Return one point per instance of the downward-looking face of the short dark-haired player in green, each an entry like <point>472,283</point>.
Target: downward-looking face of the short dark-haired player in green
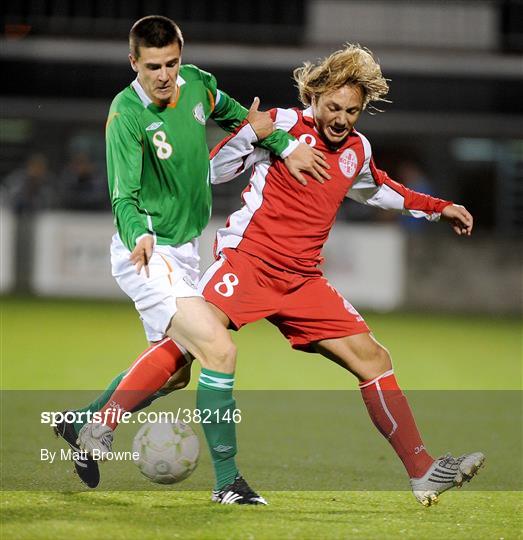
<point>157,71</point>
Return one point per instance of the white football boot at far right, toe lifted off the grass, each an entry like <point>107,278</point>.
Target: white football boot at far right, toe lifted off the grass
<point>445,473</point>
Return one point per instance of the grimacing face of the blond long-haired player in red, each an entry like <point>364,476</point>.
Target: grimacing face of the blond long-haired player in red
<point>336,113</point>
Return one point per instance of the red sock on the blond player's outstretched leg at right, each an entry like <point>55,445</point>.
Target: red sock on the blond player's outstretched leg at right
<point>391,414</point>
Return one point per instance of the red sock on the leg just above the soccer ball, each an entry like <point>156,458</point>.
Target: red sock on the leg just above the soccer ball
<point>151,370</point>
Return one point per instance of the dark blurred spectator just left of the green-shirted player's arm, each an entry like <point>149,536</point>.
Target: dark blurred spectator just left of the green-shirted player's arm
<point>82,185</point>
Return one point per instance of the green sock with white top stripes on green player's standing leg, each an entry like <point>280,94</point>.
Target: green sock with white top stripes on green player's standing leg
<point>216,405</point>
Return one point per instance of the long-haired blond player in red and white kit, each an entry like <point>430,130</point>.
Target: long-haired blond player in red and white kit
<point>268,254</point>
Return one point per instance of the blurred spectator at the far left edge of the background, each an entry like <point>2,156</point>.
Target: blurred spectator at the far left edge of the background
<point>30,188</point>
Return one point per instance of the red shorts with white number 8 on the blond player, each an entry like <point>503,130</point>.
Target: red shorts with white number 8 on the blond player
<point>306,309</point>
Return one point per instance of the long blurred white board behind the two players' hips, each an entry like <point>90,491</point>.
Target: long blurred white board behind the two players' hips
<point>365,262</point>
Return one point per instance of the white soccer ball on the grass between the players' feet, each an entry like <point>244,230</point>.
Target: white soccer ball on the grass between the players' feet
<point>168,452</point>
